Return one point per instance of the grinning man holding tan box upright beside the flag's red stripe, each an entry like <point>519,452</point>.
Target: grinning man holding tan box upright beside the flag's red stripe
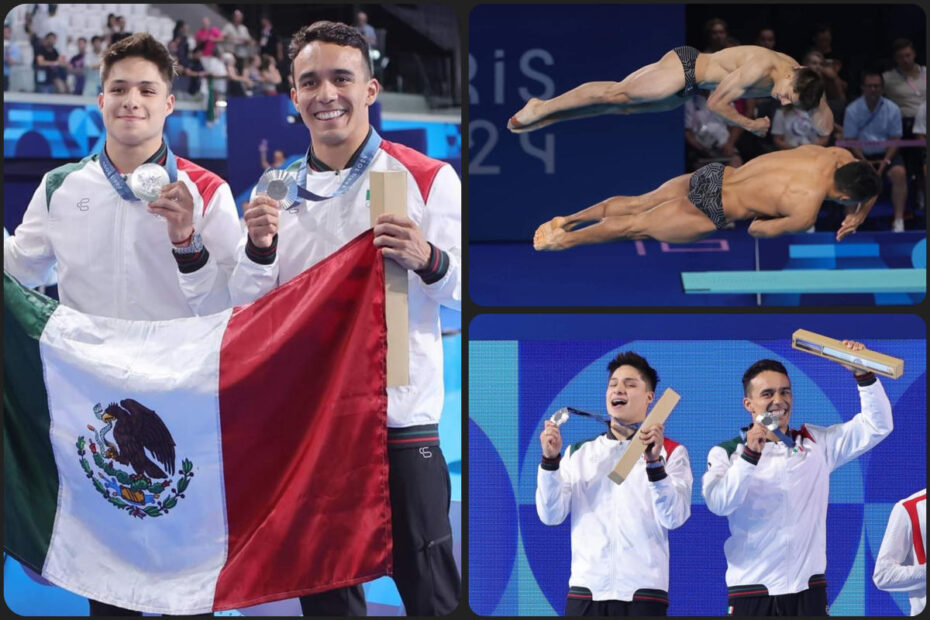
<point>333,90</point>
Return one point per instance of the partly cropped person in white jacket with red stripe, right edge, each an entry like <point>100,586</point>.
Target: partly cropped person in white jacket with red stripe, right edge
<point>901,565</point>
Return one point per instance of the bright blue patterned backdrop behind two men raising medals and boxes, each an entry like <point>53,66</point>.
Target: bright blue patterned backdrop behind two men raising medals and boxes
<point>522,368</point>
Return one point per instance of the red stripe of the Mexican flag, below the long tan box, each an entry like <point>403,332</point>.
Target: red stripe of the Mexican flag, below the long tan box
<point>303,414</point>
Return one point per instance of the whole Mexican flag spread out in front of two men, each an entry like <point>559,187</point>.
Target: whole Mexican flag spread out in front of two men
<point>204,463</point>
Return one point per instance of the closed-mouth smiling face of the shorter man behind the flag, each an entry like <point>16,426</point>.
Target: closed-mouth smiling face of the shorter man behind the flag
<point>134,103</point>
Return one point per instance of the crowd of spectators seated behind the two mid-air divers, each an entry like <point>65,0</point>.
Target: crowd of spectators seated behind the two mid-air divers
<point>889,104</point>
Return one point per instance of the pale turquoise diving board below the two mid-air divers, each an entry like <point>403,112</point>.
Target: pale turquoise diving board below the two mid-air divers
<point>806,281</point>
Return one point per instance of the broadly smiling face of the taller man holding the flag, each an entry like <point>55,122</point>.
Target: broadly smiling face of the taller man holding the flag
<point>333,90</point>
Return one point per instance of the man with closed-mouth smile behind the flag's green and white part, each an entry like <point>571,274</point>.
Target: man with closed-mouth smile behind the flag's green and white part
<point>118,256</point>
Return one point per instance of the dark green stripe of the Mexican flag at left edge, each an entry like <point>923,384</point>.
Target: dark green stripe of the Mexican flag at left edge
<point>30,479</point>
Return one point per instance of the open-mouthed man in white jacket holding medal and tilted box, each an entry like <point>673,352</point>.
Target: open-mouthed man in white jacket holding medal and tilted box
<point>620,556</point>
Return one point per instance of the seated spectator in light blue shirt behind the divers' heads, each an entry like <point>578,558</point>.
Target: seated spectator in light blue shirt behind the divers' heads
<point>872,117</point>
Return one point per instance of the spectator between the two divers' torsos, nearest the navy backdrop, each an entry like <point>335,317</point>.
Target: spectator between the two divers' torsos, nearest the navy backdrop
<point>707,135</point>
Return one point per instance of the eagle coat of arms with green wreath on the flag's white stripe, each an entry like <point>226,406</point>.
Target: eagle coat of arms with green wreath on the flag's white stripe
<point>148,488</point>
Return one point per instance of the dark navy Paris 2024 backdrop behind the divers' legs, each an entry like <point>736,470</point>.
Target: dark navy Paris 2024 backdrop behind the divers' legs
<point>516,182</point>
